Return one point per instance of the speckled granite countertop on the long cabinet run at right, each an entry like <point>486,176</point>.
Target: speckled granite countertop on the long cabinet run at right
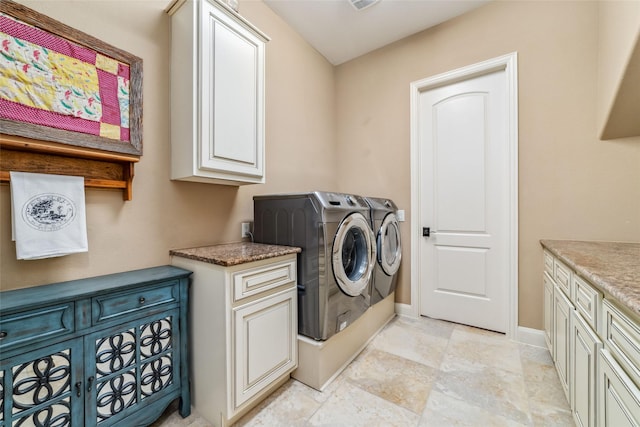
<point>613,267</point>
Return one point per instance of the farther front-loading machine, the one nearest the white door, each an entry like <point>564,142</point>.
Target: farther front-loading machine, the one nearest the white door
<point>384,223</point>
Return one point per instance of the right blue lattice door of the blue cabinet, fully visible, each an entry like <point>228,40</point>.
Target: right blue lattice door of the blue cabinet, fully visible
<point>130,366</point>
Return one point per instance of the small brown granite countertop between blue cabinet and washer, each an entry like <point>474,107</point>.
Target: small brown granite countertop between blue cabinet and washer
<point>234,253</point>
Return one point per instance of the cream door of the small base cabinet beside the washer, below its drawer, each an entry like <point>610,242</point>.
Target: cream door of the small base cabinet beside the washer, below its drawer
<point>265,343</point>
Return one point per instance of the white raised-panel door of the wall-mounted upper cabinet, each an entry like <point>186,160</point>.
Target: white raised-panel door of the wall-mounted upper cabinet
<point>232,83</point>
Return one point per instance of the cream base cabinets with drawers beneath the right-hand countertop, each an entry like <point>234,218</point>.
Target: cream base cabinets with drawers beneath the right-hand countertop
<point>595,346</point>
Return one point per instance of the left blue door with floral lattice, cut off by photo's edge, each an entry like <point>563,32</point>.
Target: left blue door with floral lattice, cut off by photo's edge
<point>43,387</point>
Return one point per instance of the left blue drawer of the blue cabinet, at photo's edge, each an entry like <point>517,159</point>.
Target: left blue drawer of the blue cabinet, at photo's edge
<point>36,325</point>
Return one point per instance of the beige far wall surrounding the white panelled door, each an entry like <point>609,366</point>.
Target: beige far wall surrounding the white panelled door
<point>571,185</point>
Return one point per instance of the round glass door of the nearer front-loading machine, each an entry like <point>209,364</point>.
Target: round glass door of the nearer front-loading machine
<point>354,253</point>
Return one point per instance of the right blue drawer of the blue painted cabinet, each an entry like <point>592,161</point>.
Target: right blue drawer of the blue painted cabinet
<point>108,307</point>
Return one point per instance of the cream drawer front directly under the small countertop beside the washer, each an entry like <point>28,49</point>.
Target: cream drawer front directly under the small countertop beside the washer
<point>260,279</point>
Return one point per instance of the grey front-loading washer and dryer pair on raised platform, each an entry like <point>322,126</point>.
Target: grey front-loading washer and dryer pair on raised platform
<point>344,266</point>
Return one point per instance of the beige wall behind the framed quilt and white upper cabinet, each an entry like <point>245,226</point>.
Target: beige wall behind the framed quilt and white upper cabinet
<point>165,214</point>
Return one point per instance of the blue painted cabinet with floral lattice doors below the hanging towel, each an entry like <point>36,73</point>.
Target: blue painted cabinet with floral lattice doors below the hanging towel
<point>104,351</point>
